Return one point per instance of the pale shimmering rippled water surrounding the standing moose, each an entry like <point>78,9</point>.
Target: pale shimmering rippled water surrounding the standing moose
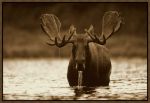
<point>45,79</point>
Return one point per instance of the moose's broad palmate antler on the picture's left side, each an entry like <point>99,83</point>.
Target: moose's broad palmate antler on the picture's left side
<point>51,26</point>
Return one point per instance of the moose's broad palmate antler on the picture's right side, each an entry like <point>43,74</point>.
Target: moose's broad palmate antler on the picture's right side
<point>110,24</point>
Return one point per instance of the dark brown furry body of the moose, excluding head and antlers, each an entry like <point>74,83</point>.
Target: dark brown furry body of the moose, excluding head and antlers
<point>97,67</point>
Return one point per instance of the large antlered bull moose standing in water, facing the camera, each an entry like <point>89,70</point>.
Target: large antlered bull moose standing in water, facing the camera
<point>89,53</point>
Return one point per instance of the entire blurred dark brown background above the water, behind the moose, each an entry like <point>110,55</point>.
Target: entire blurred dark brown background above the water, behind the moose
<point>23,37</point>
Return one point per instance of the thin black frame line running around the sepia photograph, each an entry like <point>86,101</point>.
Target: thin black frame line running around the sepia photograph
<point>76,2</point>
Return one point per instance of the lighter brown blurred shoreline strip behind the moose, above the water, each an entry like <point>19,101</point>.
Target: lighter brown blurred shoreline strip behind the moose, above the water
<point>24,44</point>
